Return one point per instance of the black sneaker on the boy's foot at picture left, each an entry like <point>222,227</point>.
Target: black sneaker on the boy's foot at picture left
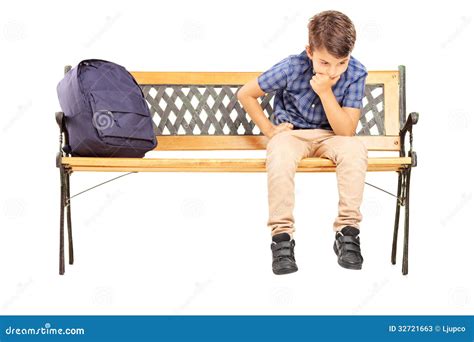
<point>283,249</point>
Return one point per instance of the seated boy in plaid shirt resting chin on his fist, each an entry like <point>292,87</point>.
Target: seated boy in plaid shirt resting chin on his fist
<point>316,110</point>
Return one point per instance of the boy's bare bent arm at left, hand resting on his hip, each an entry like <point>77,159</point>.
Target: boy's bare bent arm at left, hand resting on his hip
<point>248,96</point>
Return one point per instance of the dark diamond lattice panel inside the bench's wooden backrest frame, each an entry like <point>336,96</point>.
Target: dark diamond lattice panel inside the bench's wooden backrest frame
<point>215,110</point>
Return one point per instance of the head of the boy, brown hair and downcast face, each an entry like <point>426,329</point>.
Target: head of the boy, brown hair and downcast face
<point>332,37</point>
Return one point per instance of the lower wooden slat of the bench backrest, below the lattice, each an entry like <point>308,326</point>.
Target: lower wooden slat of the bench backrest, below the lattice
<point>230,142</point>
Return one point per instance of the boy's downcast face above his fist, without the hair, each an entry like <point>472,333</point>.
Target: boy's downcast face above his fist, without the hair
<point>325,63</point>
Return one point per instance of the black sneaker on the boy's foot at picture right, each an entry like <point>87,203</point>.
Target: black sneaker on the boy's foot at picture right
<point>347,248</point>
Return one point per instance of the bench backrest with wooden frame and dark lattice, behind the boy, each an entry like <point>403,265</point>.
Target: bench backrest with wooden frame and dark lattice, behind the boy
<point>200,110</point>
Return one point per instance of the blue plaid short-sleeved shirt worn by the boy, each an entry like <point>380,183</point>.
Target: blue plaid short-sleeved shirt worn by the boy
<point>296,102</point>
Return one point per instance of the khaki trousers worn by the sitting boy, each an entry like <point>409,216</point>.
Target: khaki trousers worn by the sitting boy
<point>284,152</point>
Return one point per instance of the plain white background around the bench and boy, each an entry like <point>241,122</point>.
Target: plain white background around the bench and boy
<point>163,243</point>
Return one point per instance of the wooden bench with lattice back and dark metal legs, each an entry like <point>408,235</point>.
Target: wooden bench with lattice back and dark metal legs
<point>200,111</point>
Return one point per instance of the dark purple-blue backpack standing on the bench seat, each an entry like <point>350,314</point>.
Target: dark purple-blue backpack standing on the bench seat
<point>105,112</point>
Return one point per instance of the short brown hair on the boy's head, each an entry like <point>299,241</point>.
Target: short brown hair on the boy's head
<point>333,31</point>
